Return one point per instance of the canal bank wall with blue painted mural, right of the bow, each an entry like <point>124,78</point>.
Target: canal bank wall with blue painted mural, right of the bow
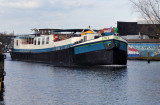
<point>144,49</point>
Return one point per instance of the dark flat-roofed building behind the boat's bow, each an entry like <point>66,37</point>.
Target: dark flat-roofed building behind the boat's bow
<point>133,28</point>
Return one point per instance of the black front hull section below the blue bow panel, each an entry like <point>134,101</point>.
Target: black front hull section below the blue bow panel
<point>102,57</point>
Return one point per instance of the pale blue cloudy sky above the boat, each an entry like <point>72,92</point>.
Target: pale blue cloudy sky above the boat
<point>19,16</point>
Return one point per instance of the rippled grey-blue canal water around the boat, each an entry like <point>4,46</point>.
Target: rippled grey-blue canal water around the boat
<point>29,83</point>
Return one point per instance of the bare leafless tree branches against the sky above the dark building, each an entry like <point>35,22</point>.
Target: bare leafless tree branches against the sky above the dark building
<point>148,9</point>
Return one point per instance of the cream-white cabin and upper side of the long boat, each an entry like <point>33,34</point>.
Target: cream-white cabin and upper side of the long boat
<point>47,41</point>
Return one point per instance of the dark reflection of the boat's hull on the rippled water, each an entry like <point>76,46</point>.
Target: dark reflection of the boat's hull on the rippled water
<point>113,72</point>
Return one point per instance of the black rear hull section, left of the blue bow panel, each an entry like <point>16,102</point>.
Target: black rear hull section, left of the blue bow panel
<point>57,58</point>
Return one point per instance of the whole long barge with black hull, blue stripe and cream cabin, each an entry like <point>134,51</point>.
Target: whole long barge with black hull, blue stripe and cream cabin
<point>71,47</point>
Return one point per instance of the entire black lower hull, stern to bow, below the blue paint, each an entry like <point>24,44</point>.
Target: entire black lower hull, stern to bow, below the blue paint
<point>67,57</point>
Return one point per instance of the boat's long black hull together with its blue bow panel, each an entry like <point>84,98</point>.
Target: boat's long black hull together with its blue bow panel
<point>85,55</point>
